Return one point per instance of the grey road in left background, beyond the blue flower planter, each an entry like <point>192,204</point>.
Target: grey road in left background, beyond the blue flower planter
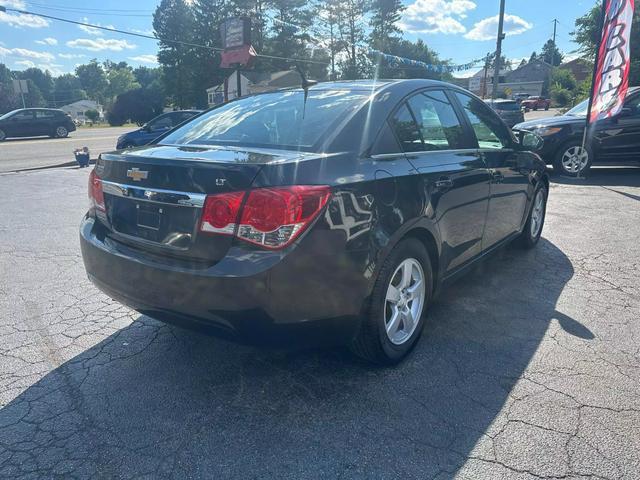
<point>21,154</point>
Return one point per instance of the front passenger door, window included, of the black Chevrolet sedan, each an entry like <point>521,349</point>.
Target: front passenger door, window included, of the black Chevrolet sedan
<point>510,185</point>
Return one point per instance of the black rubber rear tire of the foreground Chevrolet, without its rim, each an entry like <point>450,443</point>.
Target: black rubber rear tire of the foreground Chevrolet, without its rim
<point>372,342</point>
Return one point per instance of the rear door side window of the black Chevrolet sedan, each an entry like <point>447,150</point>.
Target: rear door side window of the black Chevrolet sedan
<point>437,121</point>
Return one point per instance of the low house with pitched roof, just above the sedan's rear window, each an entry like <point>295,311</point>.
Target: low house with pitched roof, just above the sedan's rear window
<point>252,82</point>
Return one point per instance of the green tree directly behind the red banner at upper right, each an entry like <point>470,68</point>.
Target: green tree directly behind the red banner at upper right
<point>587,35</point>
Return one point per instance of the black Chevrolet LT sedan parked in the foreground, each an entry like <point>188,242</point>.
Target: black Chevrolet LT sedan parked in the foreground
<point>328,218</point>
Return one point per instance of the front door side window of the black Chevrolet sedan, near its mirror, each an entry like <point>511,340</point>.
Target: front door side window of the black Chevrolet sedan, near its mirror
<point>489,129</point>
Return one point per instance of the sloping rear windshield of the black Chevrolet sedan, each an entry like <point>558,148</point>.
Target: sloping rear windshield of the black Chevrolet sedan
<point>273,120</point>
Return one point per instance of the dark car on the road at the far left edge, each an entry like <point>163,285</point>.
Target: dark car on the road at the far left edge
<point>35,122</point>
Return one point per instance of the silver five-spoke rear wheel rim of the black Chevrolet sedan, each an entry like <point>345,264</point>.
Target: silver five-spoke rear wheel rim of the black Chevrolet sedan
<point>404,301</point>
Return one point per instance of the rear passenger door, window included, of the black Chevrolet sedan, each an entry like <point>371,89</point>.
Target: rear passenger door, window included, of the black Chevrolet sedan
<point>454,178</point>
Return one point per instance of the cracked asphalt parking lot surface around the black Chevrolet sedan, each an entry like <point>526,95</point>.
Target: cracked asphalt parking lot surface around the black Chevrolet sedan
<point>529,367</point>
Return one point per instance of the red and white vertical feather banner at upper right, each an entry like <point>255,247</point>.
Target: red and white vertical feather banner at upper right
<point>611,79</point>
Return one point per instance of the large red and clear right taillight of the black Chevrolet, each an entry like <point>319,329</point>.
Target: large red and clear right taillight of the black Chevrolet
<point>269,217</point>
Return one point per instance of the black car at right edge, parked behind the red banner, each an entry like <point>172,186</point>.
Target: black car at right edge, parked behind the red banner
<point>613,140</point>
